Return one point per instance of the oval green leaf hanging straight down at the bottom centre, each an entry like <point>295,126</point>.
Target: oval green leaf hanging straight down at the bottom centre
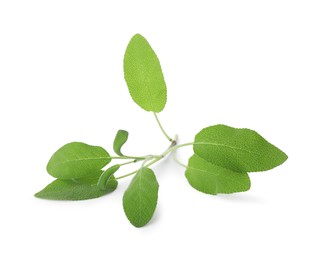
<point>140,198</point>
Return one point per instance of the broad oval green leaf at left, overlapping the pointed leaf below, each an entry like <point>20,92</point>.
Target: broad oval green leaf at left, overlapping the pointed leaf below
<point>77,160</point>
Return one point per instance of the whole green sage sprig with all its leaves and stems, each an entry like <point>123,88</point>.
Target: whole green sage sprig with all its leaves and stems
<point>222,157</point>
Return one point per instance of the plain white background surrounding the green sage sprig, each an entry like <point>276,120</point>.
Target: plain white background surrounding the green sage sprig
<point>255,64</point>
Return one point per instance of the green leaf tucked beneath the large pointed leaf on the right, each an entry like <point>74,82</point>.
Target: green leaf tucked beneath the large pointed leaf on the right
<point>213,179</point>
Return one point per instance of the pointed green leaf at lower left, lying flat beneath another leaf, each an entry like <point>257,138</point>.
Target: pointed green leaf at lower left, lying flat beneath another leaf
<point>78,189</point>
